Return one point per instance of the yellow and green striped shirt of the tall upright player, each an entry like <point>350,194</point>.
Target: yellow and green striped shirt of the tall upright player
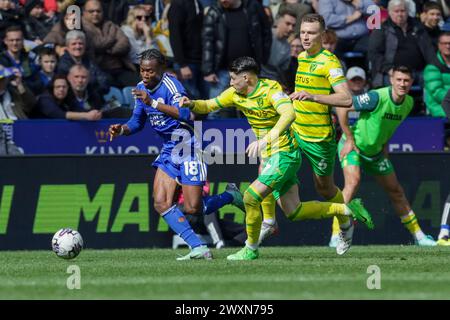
<point>316,74</point>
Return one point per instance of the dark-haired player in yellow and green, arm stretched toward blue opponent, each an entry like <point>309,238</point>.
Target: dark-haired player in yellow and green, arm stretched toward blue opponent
<point>270,114</point>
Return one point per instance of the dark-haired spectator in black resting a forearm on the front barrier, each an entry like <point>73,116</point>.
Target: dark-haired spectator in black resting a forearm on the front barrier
<point>57,103</point>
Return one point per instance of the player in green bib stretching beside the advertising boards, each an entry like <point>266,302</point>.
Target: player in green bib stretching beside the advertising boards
<point>363,145</point>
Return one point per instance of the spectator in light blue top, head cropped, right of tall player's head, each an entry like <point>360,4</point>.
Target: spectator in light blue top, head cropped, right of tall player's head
<point>347,19</point>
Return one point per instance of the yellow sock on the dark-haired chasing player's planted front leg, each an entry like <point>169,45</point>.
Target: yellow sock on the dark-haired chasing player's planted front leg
<point>253,219</point>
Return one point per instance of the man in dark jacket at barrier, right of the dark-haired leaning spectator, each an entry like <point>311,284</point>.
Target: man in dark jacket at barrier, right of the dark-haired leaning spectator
<point>85,99</point>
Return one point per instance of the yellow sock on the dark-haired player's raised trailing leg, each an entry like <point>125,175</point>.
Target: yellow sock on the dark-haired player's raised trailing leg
<point>317,210</point>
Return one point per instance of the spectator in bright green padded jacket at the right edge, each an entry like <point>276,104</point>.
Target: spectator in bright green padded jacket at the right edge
<point>437,78</point>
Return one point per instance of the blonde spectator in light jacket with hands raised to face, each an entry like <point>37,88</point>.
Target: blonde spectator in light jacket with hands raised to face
<point>137,29</point>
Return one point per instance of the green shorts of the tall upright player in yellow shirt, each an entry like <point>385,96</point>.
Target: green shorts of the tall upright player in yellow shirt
<point>321,155</point>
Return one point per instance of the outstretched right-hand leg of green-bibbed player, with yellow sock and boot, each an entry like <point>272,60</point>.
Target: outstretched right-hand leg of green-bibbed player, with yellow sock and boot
<point>403,209</point>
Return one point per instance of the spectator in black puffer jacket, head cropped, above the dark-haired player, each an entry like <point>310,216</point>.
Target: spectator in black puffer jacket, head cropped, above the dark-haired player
<point>232,29</point>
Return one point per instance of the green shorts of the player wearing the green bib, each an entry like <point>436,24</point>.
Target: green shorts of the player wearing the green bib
<point>377,165</point>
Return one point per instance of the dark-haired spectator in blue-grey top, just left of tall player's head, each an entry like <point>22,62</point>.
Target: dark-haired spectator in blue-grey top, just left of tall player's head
<point>280,51</point>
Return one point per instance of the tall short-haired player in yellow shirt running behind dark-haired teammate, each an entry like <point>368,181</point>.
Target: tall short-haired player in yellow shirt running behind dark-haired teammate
<point>320,84</point>
